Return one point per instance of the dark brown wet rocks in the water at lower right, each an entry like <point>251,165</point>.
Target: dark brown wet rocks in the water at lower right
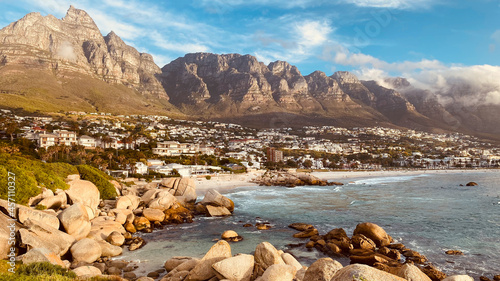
<point>371,245</point>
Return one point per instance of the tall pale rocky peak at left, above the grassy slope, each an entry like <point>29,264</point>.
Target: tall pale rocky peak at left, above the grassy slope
<point>75,44</point>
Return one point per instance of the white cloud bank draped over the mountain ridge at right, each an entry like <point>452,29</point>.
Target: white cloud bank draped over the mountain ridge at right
<point>454,84</point>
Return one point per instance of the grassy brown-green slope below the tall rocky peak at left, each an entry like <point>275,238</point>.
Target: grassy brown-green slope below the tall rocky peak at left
<point>36,89</point>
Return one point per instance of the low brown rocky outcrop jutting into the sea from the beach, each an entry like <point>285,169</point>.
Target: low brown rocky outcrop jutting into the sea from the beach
<point>288,179</point>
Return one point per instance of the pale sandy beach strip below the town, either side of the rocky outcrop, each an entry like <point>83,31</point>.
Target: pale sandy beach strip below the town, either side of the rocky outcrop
<point>230,181</point>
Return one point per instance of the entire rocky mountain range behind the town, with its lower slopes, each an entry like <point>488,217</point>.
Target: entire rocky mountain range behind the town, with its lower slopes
<point>50,64</point>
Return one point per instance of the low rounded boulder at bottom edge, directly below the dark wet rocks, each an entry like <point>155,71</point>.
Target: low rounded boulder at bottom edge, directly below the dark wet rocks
<point>364,272</point>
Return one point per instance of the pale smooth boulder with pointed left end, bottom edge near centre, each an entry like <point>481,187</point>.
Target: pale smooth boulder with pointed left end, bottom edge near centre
<point>237,268</point>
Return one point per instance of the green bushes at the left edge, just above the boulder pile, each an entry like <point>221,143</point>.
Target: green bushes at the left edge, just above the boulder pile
<point>27,175</point>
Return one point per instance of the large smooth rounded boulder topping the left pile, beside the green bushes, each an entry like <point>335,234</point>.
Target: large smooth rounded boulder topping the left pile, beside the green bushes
<point>84,192</point>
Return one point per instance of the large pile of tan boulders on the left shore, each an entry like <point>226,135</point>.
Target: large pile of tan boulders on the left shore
<point>75,229</point>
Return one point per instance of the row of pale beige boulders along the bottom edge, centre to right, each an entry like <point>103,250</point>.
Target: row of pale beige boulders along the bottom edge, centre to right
<point>269,264</point>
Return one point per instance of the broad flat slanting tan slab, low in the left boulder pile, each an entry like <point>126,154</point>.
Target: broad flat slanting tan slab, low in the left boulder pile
<point>40,235</point>
